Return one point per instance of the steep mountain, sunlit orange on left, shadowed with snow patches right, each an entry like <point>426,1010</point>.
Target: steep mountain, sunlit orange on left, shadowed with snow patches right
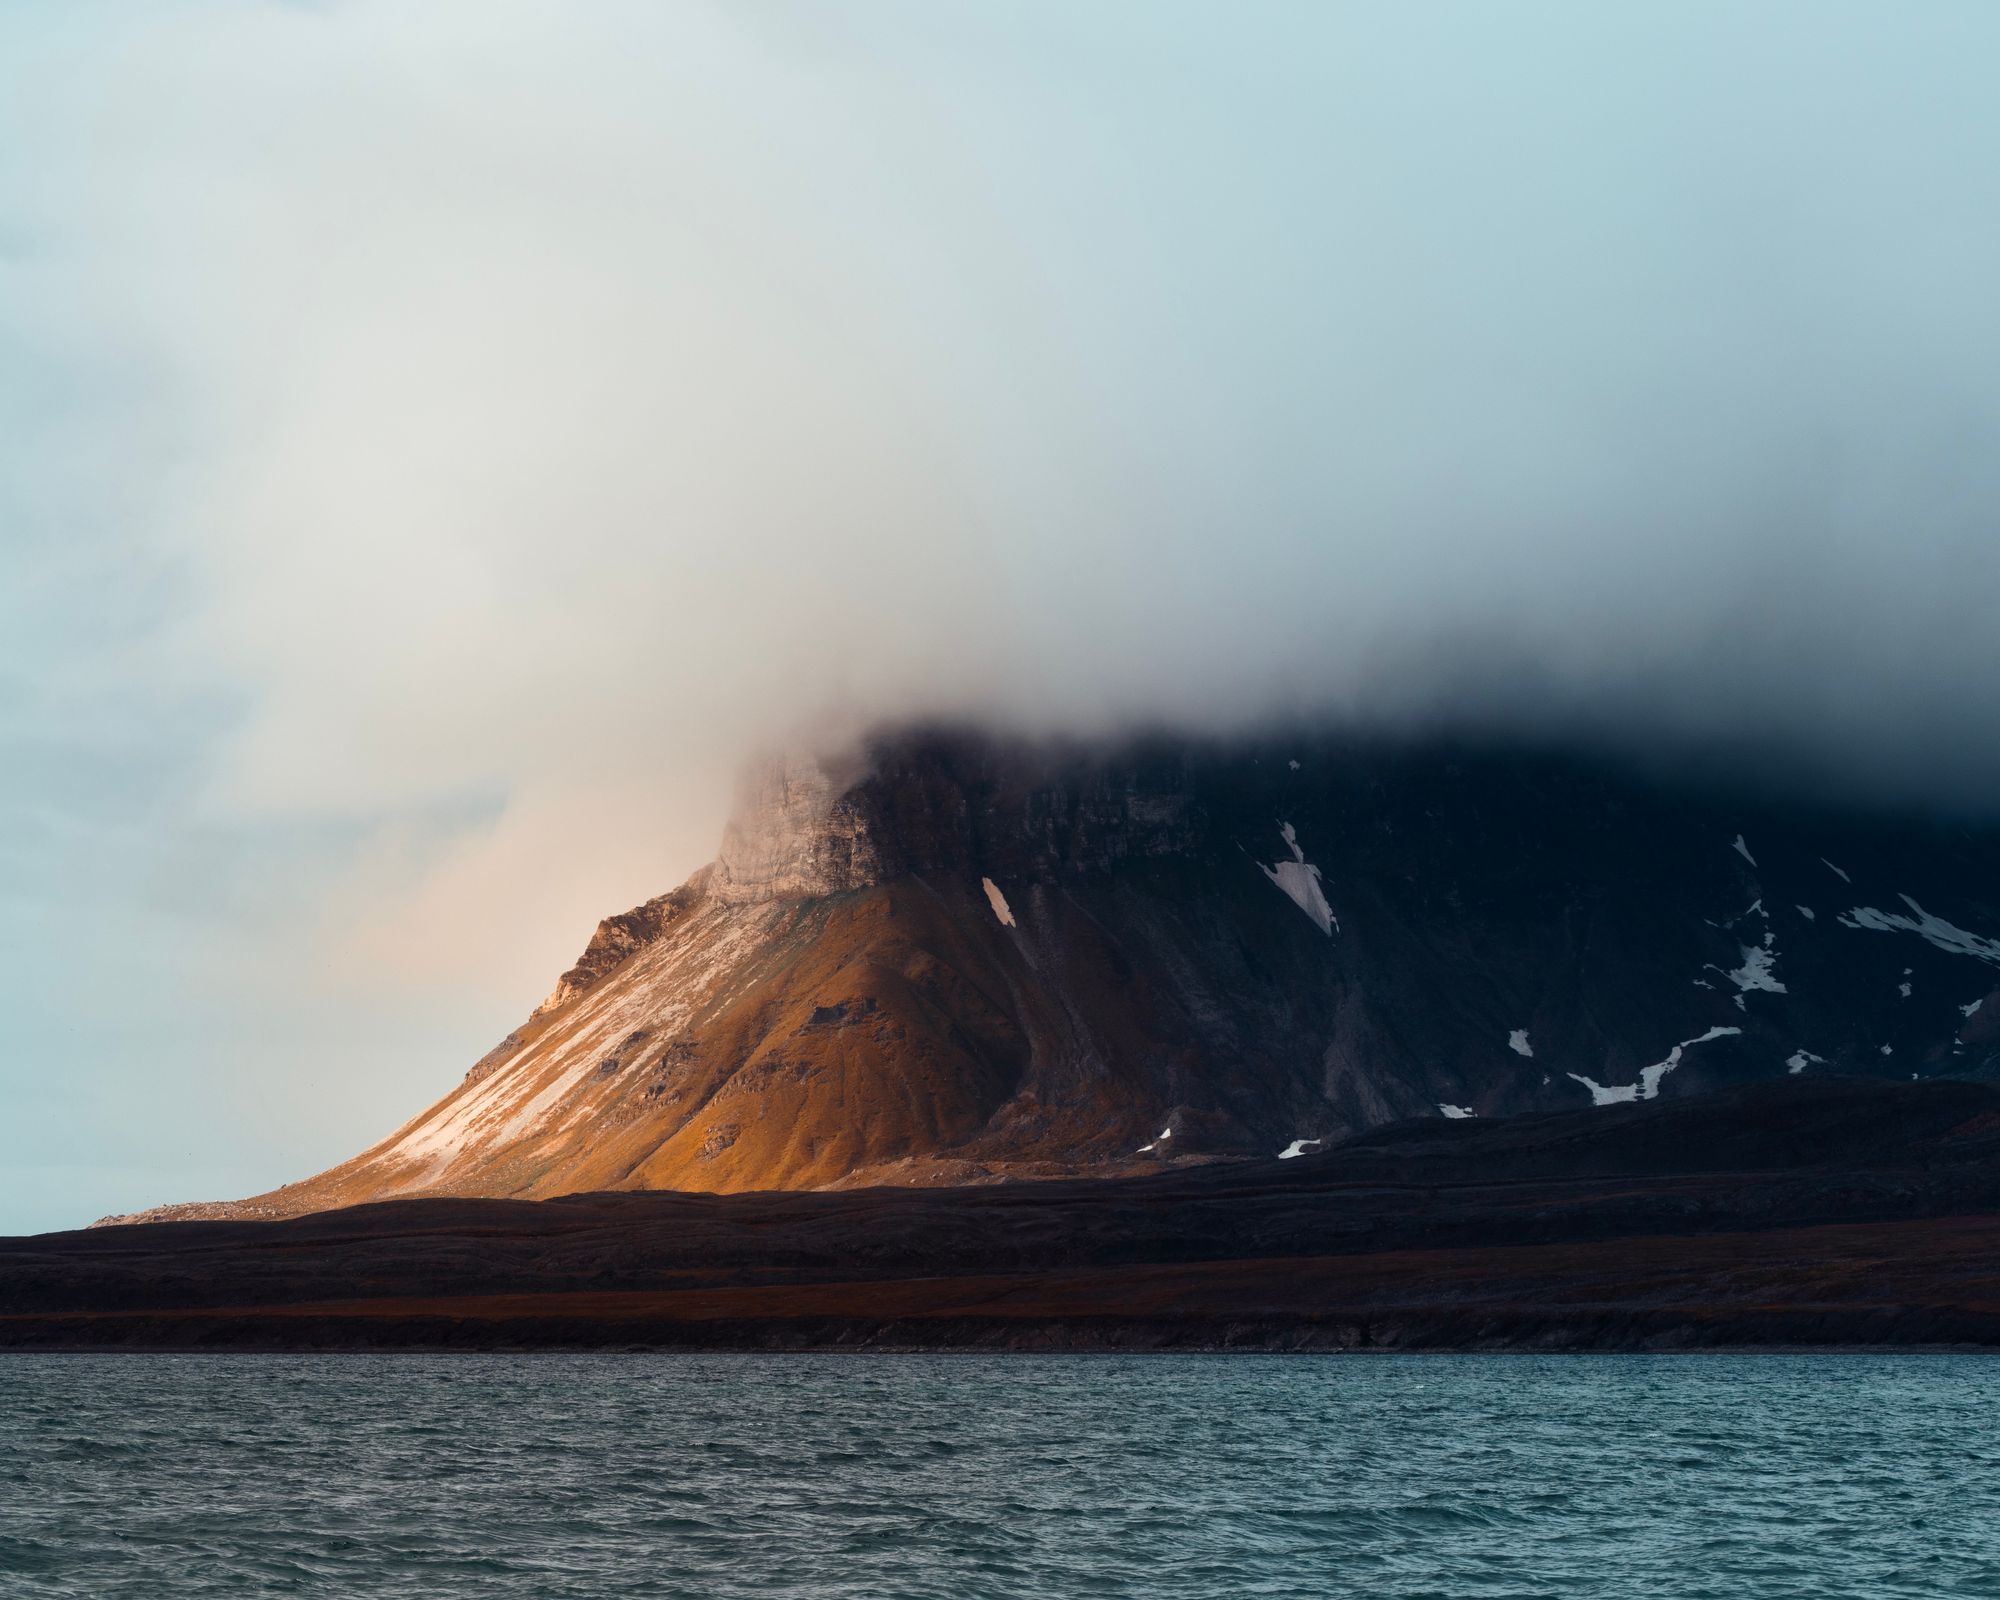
<point>947,957</point>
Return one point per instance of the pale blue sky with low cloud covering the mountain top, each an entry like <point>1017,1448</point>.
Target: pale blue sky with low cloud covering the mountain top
<point>443,441</point>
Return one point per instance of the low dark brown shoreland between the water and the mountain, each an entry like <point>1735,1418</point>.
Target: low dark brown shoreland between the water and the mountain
<point>1813,1213</point>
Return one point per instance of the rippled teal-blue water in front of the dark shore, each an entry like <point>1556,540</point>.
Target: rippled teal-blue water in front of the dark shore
<point>967,1477</point>
